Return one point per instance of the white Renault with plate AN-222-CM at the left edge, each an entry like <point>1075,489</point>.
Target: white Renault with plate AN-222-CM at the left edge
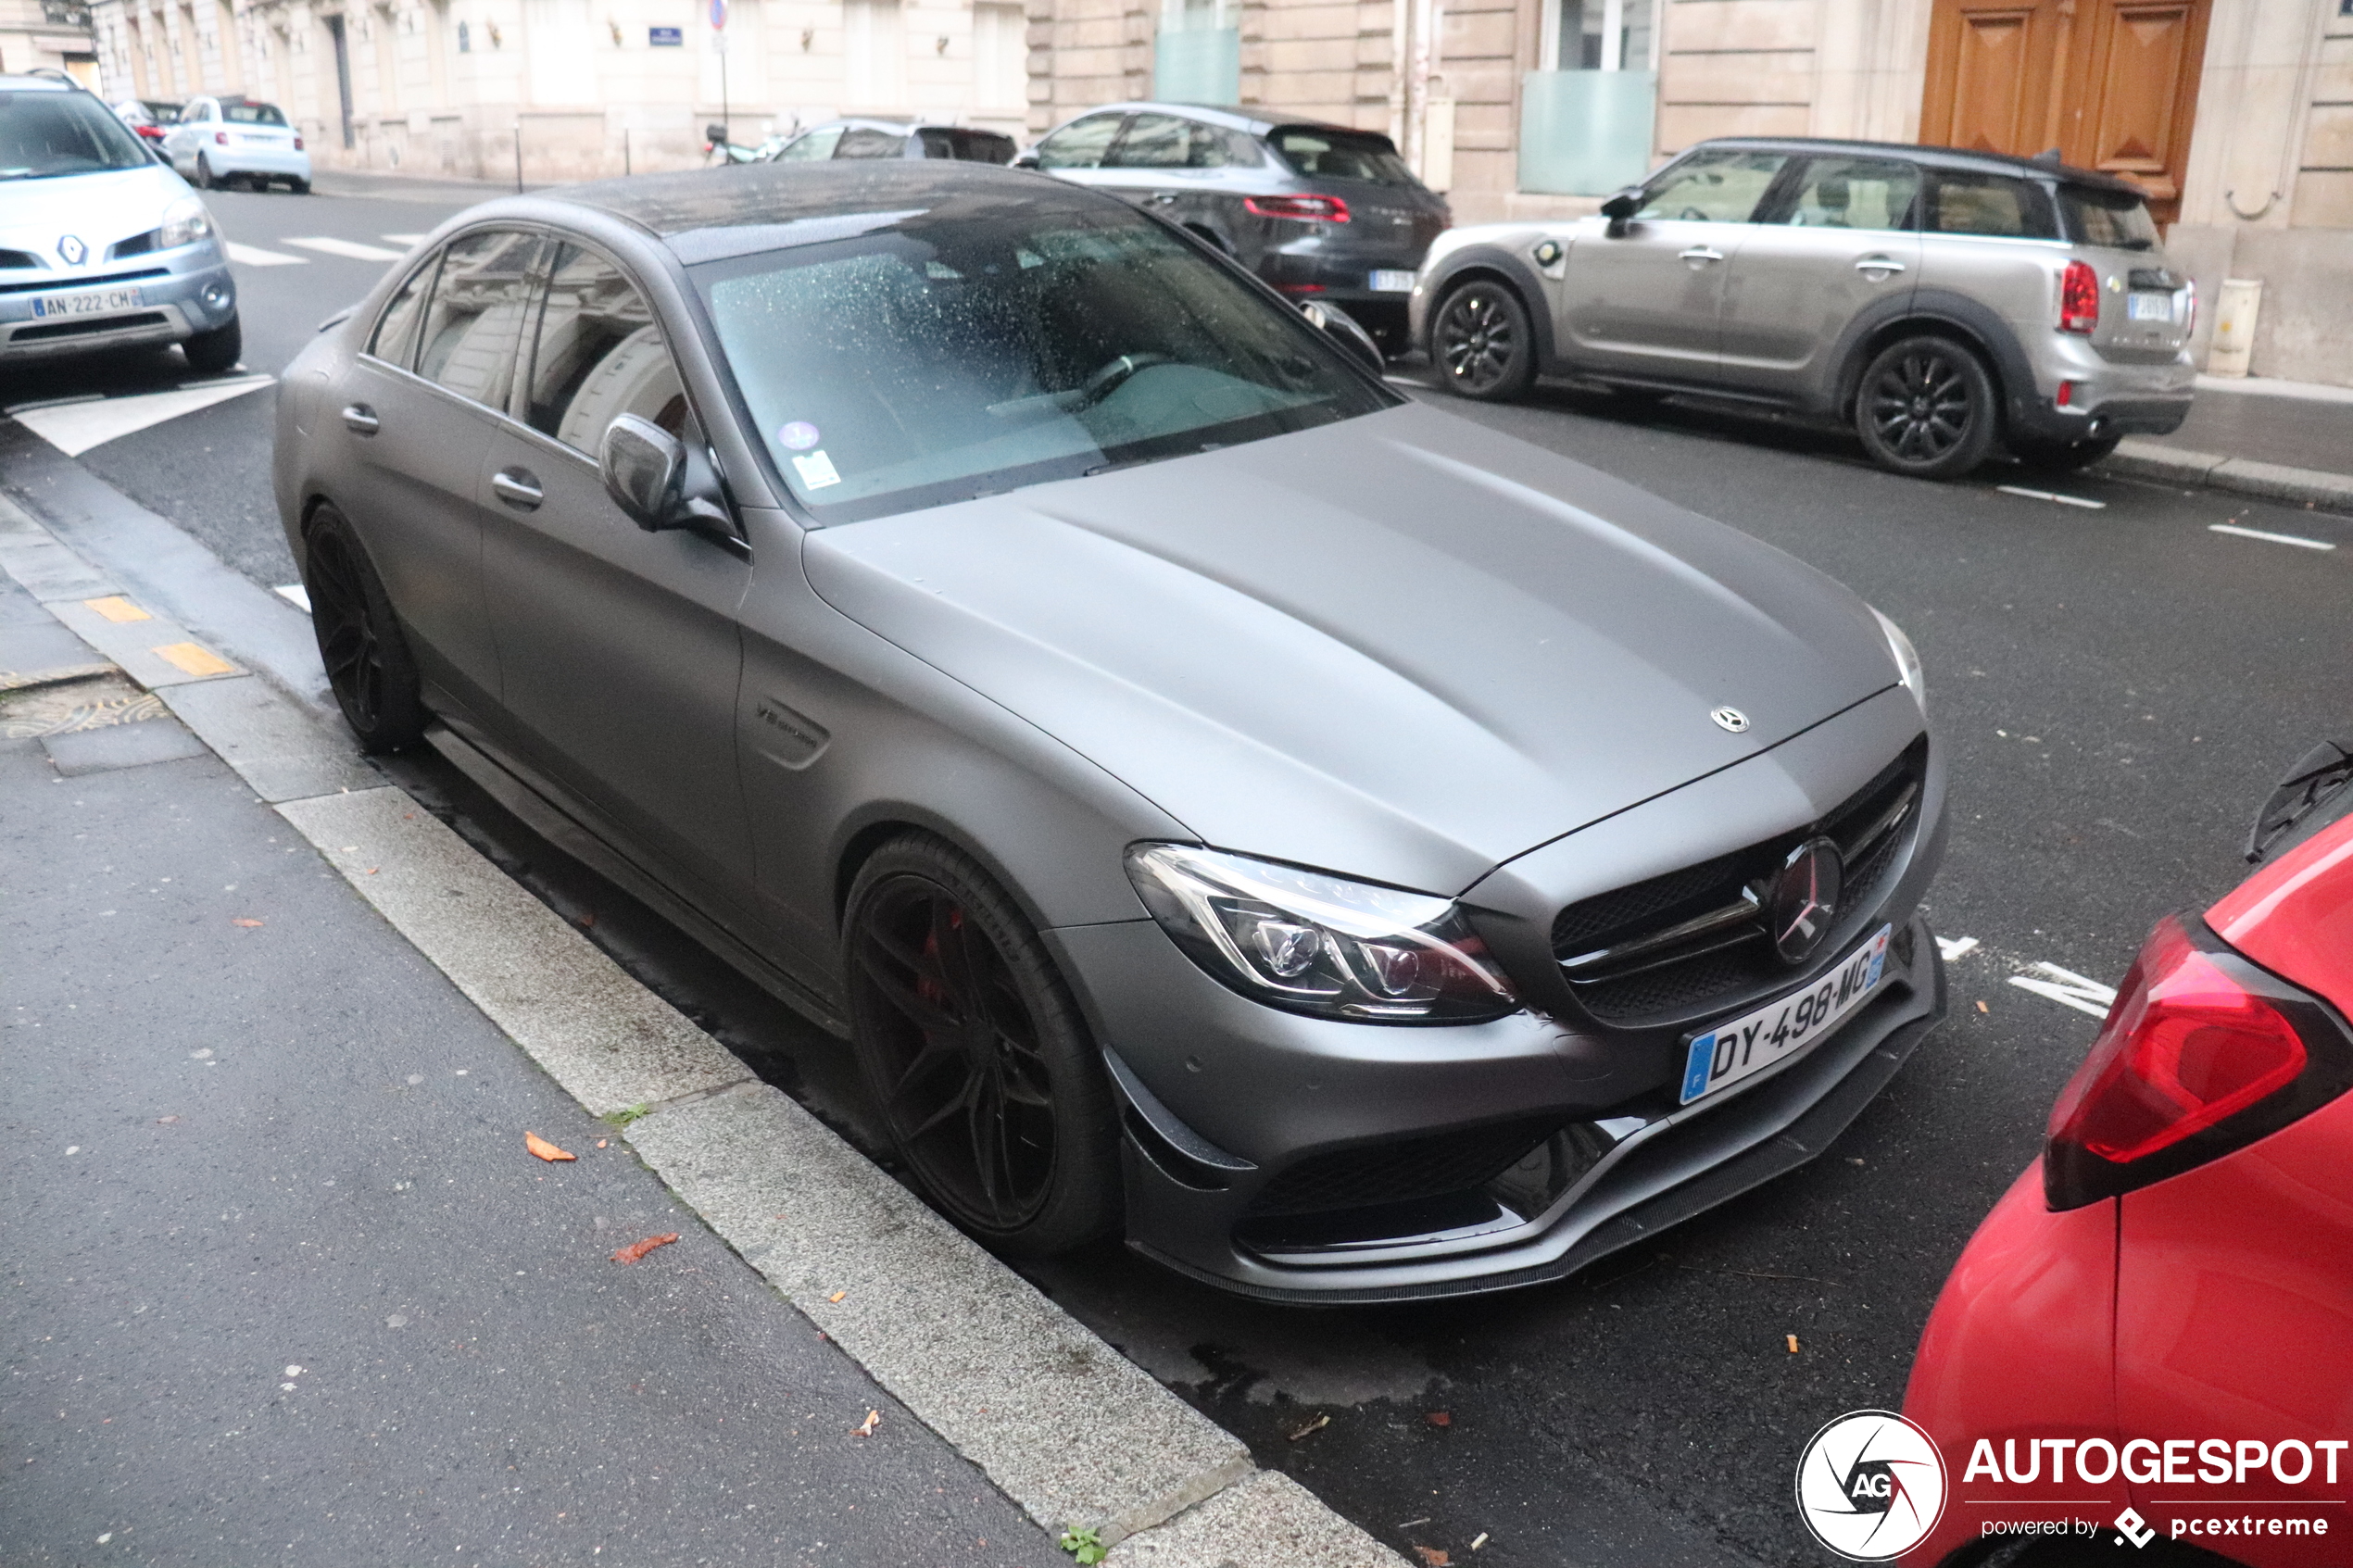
<point>102,246</point>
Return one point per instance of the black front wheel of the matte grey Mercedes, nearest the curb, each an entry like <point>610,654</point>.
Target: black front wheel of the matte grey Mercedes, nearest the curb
<point>975,1054</point>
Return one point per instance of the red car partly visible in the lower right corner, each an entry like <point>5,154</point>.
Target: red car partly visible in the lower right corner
<point>2159,1318</point>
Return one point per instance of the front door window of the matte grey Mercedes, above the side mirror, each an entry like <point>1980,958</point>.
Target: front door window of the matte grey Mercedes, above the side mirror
<point>599,356</point>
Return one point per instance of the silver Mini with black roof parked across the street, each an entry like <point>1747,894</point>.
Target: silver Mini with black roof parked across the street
<point>1942,304</point>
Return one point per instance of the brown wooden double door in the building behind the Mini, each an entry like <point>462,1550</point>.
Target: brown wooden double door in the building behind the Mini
<point>2109,83</point>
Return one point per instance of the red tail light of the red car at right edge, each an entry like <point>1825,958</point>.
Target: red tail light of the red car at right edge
<point>2201,1057</point>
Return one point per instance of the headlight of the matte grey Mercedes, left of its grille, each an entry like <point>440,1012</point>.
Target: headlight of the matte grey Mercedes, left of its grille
<point>1317,944</point>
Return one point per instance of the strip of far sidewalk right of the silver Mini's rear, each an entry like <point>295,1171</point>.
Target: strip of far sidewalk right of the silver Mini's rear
<point>2265,438</point>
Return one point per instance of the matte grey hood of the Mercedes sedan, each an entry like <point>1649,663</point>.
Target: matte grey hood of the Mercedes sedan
<point>1401,648</point>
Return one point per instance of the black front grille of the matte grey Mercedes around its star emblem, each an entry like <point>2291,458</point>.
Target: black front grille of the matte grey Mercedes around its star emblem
<point>1695,942</point>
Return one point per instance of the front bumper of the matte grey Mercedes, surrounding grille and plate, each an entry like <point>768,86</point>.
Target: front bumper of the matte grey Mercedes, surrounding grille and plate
<point>1234,1108</point>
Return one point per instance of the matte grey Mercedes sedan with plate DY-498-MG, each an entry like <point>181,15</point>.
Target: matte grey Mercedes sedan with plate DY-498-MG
<point>1357,852</point>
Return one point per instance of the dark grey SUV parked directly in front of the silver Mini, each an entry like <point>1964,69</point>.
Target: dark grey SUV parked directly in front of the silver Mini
<point>1319,210</point>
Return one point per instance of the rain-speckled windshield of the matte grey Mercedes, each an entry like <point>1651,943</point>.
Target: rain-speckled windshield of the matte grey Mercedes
<point>940,359</point>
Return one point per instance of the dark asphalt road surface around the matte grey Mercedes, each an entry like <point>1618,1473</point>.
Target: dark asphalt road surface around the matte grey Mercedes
<point>2114,685</point>
